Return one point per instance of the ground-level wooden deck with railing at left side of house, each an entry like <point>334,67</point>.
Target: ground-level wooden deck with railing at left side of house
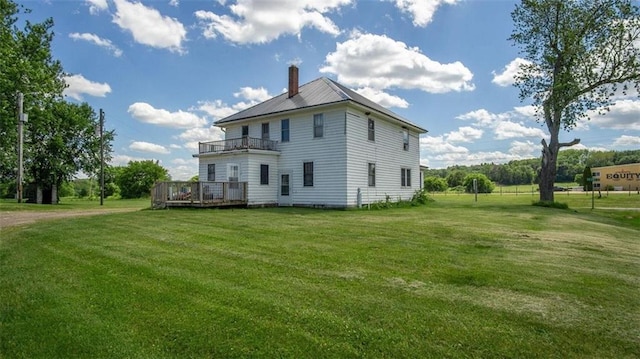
<point>198,194</point>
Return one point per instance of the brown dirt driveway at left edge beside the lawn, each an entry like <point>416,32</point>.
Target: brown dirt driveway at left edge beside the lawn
<point>16,218</point>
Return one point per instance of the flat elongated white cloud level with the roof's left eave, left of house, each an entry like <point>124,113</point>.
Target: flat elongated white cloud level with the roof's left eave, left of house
<point>146,113</point>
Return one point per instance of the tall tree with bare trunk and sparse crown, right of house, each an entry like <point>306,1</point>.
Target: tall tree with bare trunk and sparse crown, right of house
<point>582,54</point>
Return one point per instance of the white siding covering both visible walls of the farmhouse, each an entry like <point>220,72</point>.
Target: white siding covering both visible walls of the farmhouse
<point>340,165</point>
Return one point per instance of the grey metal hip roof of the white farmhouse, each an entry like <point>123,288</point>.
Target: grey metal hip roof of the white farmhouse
<point>321,91</point>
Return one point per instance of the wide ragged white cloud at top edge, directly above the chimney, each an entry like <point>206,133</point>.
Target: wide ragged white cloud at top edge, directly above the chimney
<point>259,21</point>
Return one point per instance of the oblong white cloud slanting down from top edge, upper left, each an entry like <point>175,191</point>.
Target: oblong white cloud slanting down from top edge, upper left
<point>149,27</point>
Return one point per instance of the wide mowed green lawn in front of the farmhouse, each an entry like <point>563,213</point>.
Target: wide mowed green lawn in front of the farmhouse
<point>456,278</point>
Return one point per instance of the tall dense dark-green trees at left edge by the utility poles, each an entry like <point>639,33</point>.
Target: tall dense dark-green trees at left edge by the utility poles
<point>59,137</point>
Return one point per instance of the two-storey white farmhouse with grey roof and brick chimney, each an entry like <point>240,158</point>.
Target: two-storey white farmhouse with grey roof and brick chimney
<point>319,145</point>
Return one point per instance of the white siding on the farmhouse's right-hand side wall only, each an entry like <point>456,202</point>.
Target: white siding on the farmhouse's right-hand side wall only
<point>386,152</point>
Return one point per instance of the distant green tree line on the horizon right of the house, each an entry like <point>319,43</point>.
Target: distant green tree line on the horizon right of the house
<point>571,165</point>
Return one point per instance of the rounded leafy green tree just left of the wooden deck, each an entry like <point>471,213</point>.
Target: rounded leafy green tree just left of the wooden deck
<point>137,178</point>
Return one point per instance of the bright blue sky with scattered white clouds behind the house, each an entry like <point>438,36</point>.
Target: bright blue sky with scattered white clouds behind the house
<point>164,70</point>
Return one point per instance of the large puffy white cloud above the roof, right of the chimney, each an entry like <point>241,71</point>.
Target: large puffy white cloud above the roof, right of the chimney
<point>379,62</point>
